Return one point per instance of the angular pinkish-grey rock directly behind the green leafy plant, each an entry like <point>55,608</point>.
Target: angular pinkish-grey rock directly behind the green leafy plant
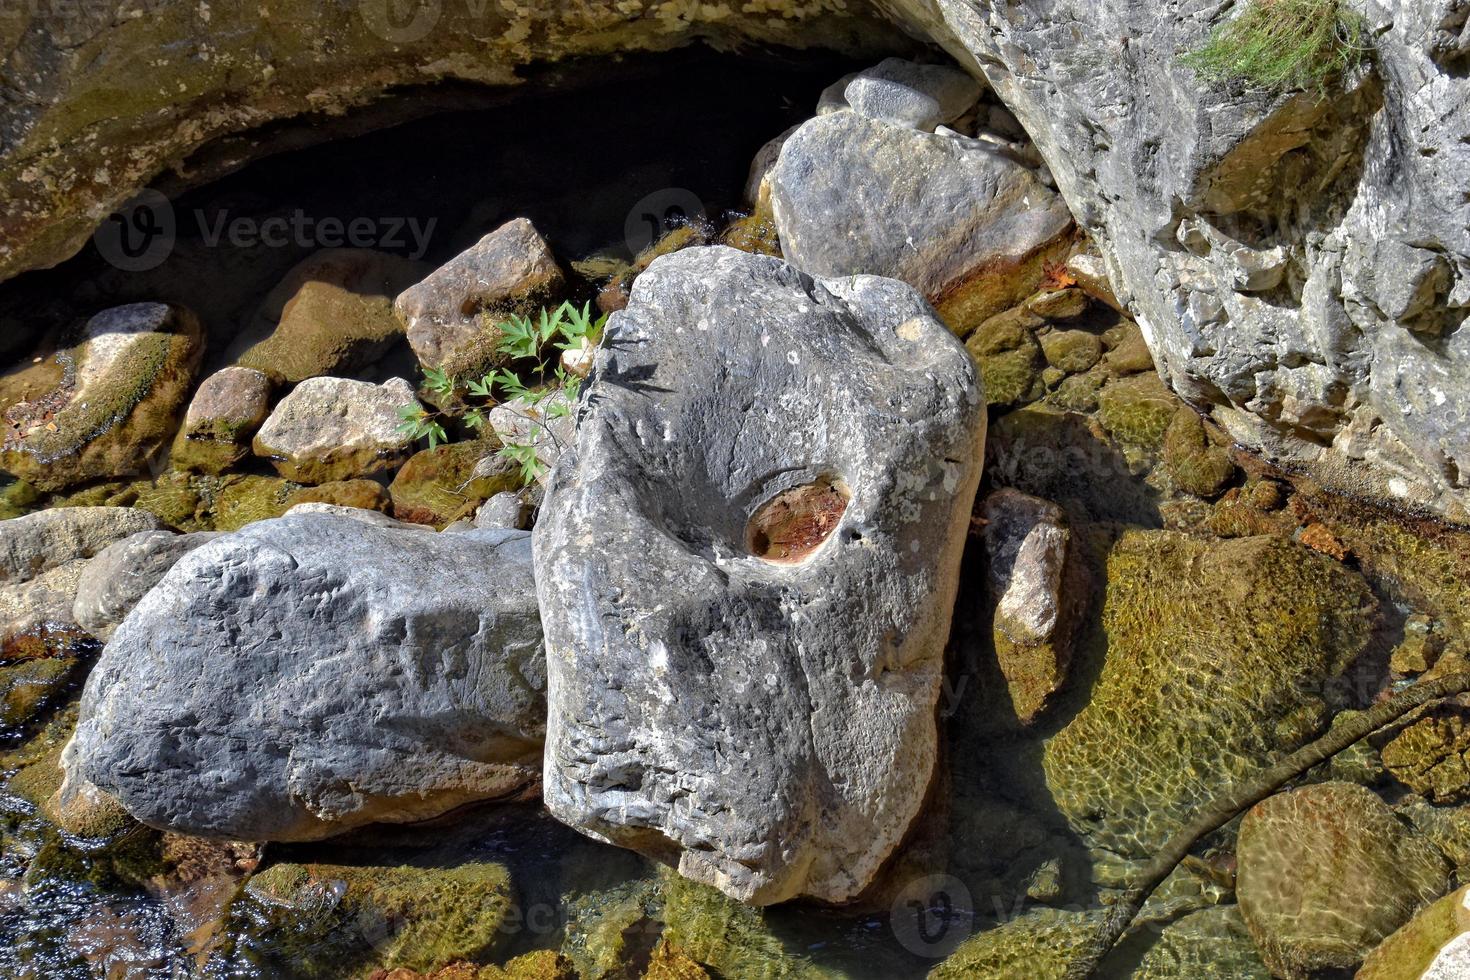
<point>453,317</point>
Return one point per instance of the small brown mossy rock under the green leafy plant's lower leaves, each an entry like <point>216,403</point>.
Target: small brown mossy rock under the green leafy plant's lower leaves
<point>439,486</point>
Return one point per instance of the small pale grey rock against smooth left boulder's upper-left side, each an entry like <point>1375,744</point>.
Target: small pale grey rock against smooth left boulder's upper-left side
<point>124,572</point>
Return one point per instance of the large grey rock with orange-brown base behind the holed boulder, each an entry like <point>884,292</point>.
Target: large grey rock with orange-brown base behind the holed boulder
<point>859,192</point>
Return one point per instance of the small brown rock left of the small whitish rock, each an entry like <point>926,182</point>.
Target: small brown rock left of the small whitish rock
<point>226,412</point>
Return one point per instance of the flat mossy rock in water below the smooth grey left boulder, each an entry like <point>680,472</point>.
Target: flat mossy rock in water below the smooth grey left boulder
<point>365,918</point>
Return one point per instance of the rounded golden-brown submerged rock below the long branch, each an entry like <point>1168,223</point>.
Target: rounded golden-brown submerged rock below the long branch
<point>1327,873</point>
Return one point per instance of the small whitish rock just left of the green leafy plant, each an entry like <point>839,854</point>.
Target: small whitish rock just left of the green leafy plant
<point>336,430</point>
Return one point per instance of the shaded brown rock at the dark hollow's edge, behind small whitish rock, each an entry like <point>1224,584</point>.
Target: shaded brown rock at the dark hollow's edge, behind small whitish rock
<point>331,315</point>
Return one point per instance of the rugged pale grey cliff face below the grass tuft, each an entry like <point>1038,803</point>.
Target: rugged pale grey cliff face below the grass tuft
<point>1300,267</point>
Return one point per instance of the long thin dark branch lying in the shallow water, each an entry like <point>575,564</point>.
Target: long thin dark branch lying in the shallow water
<point>1241,799</point>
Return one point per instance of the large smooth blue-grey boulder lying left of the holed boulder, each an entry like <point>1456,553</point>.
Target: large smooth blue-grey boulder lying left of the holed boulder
<point>315,674</point>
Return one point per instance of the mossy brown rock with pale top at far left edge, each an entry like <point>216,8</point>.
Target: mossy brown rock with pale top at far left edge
<point>114,403</point>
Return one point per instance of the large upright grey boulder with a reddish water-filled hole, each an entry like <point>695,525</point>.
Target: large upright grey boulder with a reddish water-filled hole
<point>747,566</point>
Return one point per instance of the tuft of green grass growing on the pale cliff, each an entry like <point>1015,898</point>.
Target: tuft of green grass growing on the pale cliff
<point>1284,45</point>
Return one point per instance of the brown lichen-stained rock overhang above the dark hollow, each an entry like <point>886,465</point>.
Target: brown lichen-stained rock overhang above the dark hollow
<point>98,99</point>
